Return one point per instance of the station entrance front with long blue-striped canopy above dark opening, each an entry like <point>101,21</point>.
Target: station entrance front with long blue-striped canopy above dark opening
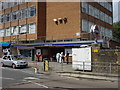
<point>49,51</point>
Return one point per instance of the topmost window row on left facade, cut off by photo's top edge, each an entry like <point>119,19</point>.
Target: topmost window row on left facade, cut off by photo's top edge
<point>5,4</point>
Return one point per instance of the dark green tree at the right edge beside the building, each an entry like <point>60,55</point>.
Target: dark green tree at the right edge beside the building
<point>116,31</point>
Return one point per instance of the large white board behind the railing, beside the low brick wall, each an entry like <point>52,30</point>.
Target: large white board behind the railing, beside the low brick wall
<point>81,58</point>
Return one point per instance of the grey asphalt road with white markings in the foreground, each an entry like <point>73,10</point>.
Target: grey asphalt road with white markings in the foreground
<point>25,78</point>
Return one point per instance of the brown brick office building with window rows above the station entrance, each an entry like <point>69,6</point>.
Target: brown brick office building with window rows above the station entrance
<point>45,23</point>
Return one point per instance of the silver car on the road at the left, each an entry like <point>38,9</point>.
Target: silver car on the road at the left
<point>10,60</point>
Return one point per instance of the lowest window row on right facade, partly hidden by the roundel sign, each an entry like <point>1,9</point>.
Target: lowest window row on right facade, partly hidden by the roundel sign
<point>86,26</point>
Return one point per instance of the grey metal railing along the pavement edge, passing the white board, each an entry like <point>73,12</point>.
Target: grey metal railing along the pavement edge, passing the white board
<point>95,67</point>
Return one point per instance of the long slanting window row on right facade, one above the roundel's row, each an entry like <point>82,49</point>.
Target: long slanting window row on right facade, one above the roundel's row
<point>89,9</point>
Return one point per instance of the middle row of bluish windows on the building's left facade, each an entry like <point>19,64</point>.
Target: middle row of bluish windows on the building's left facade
<point>20,14</point>
